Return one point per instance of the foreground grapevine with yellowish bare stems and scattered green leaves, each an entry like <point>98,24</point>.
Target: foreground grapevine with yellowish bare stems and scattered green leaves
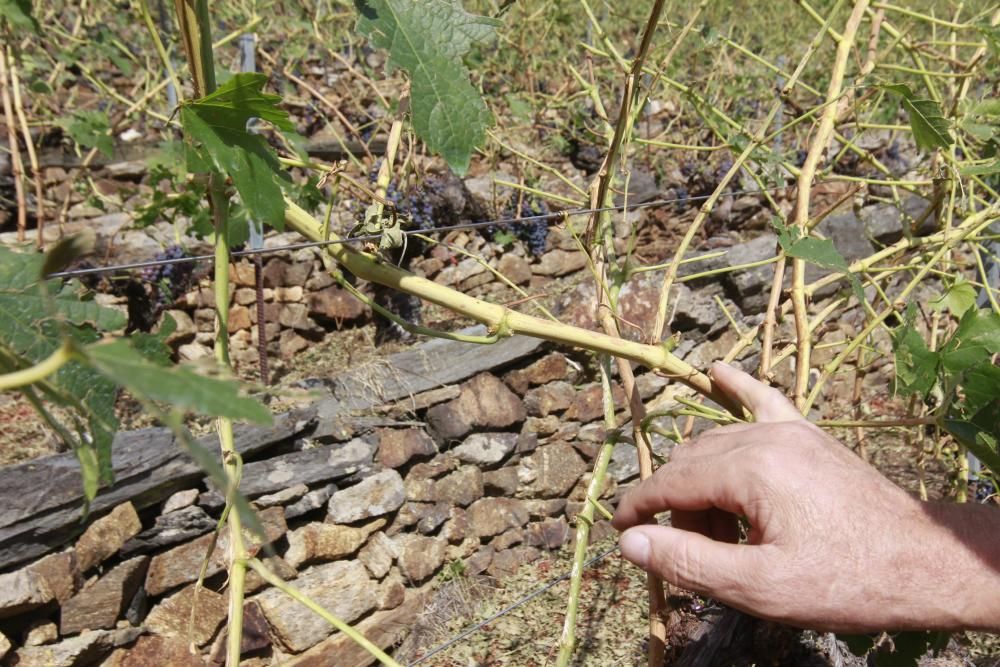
<point>58,347</point>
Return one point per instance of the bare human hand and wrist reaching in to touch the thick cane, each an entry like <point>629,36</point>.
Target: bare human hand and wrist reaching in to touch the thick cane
<point>833,545</point>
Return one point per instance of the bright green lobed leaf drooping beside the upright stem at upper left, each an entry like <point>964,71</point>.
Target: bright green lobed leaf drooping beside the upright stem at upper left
<point>217,139</point>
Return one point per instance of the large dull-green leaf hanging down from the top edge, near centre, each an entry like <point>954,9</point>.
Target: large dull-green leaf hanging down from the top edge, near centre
<point>428,39</point>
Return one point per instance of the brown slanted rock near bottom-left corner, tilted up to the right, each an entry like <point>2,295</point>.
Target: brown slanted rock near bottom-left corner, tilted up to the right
<point>98,606</point>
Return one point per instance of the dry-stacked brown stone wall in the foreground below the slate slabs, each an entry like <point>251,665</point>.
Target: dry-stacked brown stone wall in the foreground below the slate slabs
<point>361,522</point>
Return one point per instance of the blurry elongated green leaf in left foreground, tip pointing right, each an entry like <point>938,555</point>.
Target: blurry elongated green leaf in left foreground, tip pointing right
<point>176,385</point>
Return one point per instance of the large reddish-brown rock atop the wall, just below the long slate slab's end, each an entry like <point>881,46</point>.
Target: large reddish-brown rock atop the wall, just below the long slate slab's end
<point>485,402</point>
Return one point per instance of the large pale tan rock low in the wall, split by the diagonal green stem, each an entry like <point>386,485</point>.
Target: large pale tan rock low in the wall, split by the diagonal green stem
<point>342,587</point>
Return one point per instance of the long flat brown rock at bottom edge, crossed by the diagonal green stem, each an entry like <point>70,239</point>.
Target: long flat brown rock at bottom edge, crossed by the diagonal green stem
<point>383,629</point>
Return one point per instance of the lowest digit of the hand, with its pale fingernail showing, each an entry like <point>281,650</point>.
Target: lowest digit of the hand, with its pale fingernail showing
<point>691,560</point>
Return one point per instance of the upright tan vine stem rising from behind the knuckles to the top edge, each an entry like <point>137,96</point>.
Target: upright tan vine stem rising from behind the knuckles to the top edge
<point>817,149</point>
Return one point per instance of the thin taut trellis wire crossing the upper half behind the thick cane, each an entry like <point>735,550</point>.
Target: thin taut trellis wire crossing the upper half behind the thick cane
<point>408,232</point>
